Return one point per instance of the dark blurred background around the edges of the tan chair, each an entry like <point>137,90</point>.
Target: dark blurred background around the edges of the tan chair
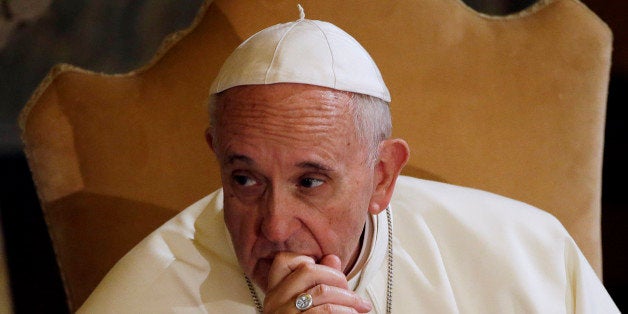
<point>117,36</point>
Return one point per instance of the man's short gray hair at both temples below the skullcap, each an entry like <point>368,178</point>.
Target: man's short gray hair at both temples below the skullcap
<point>371,116</point>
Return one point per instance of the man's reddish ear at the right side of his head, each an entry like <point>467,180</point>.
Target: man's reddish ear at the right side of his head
<point>393,155</point>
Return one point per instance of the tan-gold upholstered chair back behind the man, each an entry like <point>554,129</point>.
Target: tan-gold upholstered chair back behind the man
<point>511,105</point>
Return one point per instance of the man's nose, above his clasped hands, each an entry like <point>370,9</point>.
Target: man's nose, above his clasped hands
<point>280,219</point>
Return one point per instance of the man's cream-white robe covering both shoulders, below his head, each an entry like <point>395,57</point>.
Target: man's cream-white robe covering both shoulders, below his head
<point>456,250</point>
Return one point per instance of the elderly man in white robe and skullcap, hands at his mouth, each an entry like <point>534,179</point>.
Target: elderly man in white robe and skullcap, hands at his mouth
<point>304,221</point>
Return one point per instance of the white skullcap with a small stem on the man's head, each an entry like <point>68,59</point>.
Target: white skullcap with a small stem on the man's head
<point>304,51</point>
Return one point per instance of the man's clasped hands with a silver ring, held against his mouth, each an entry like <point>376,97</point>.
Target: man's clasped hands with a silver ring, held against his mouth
<point>292,274</point>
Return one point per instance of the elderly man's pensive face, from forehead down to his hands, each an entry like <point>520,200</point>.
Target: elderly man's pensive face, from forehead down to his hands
<point>294,174</point>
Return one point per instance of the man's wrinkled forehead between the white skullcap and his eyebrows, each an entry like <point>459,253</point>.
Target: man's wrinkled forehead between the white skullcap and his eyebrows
<point>284,110</point>
